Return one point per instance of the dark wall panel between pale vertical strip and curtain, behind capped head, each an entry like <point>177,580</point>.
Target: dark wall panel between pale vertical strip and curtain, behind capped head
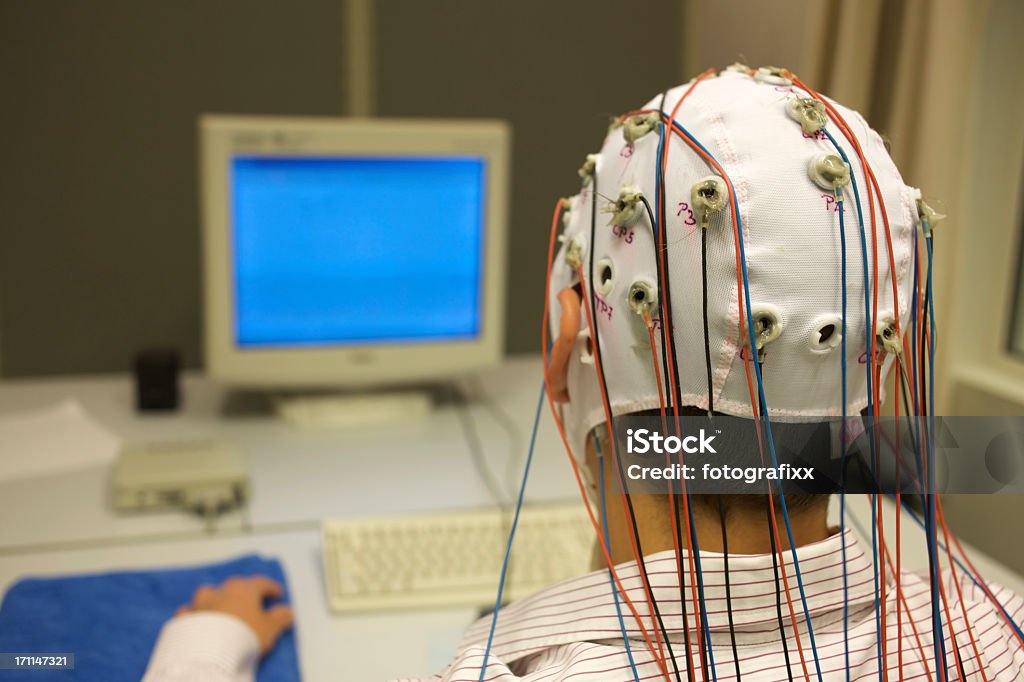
<point>557,70</point>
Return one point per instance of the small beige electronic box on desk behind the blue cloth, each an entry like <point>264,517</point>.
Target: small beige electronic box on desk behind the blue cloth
<point>206,477</point>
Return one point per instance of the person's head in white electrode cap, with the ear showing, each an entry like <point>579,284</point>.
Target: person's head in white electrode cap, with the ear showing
<point>760,238</point>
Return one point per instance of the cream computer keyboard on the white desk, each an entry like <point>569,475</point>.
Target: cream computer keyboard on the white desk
<point>452,560</point>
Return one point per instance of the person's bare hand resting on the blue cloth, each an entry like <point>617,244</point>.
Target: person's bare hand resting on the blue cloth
<point>243,599</point>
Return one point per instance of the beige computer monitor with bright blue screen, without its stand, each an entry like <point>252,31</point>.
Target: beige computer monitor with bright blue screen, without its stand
<point>352,253</point>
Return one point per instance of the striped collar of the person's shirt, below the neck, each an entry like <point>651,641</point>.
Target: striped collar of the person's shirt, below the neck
<point>583,609</point>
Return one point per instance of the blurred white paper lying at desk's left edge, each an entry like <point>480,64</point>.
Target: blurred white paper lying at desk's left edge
<point>51,441</point>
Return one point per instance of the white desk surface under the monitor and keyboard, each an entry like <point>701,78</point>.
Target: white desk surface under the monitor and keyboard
<point>63,525</point>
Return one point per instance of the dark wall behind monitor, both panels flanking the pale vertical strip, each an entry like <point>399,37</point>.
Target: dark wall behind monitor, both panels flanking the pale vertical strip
<point>100,246</point>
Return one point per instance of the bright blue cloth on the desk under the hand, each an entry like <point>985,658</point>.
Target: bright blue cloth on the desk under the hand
<point>111,621</point>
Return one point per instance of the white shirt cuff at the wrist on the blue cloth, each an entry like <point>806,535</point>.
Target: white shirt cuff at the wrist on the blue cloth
<point>205,647</point>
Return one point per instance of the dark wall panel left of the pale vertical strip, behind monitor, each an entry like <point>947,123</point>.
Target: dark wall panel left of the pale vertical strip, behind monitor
<point>100,249</point>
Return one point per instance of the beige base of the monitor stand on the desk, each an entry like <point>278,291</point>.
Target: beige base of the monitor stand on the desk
<point>338,411</point>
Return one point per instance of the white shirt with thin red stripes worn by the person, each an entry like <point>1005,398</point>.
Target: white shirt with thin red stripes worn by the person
<point>571,631</point>
